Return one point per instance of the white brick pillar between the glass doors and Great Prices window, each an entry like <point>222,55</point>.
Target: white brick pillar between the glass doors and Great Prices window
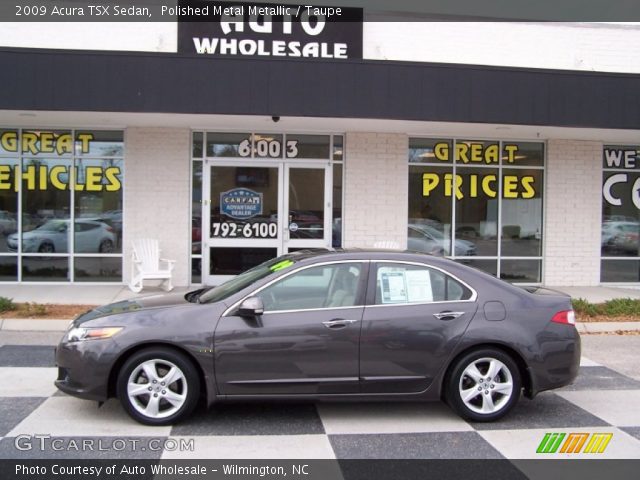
<point>376,189</point>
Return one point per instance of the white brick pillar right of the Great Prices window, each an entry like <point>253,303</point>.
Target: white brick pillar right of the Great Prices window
<point>573,213</point>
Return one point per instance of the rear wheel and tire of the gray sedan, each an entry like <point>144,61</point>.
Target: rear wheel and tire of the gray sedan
<point>486,400</point>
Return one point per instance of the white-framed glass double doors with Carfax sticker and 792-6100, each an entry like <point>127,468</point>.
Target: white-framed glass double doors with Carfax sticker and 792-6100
<point>254,211</point>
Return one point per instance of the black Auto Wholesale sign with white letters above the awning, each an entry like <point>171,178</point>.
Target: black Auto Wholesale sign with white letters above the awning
<point>226,29</point>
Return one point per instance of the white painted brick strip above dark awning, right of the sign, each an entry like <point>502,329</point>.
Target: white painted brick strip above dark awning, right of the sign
<point>565,46</point>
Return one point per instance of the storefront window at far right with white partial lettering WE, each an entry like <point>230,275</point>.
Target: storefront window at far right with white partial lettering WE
<point>620,234</point>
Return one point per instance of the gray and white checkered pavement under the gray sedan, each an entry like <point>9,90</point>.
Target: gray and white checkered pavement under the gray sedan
<point>37,421</point>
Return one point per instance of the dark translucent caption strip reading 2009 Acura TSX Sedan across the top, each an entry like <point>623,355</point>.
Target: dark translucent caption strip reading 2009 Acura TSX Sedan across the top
<point>375,10</point>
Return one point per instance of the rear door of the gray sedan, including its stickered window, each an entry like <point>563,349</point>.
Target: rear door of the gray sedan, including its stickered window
<point>415,315</point>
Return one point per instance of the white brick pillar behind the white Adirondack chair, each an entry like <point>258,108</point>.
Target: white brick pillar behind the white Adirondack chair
<point>157,194</point>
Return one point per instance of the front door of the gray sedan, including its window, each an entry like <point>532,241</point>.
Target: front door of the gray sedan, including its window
<point>306,342</point>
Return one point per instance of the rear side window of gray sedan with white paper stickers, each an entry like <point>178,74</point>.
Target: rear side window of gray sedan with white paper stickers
<point>399,284</point>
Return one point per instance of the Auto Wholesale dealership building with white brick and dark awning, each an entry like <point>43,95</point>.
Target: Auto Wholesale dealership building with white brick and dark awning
<point>510,147</point>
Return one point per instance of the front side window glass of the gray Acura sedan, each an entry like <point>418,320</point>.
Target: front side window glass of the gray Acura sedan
<point>325,286</point>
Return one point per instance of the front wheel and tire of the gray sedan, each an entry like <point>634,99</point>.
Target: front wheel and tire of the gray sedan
<point>175,400</point>
